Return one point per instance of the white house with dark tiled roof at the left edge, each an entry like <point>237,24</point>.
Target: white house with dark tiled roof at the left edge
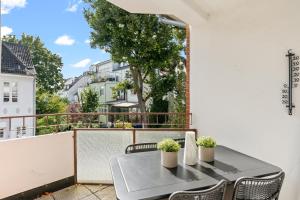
<point>17,91</point>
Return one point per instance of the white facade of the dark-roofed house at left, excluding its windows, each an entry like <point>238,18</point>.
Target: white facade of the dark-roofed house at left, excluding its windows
<point>24,106</point>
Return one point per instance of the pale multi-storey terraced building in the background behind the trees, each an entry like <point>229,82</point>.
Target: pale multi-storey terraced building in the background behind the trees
<point>102,77</point>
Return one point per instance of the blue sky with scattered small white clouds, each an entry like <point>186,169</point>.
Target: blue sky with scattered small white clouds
<point>61,26</point>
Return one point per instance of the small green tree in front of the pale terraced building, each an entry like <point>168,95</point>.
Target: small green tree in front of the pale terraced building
<point>89,100</point>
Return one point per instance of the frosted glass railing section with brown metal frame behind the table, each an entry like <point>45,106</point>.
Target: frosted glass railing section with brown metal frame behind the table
<point>95,147</point>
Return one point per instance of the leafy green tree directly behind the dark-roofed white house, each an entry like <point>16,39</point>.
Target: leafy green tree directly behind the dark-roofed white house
<point>47,64</point>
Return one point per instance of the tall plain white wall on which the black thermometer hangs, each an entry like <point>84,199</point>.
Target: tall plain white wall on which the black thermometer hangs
<point>238,67</point>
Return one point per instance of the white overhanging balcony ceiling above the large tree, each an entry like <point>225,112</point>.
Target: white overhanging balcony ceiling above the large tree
<point>193,12</point>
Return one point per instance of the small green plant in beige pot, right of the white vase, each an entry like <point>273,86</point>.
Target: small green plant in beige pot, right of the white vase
<point>206,146</point>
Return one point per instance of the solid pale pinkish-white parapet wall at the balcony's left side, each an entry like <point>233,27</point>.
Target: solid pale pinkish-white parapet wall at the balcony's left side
<point>28,163</point>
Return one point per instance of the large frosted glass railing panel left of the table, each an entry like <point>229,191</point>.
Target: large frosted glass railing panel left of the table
<point>94,150</point>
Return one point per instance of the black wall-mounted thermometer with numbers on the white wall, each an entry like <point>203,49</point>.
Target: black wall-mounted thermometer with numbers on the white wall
<point>287,92</point>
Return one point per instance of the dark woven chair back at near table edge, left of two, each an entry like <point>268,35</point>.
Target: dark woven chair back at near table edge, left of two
<point>215,193</point>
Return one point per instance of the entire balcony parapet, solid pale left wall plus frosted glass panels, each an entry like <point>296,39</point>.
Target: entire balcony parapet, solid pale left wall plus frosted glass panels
<point>40,163</point>
